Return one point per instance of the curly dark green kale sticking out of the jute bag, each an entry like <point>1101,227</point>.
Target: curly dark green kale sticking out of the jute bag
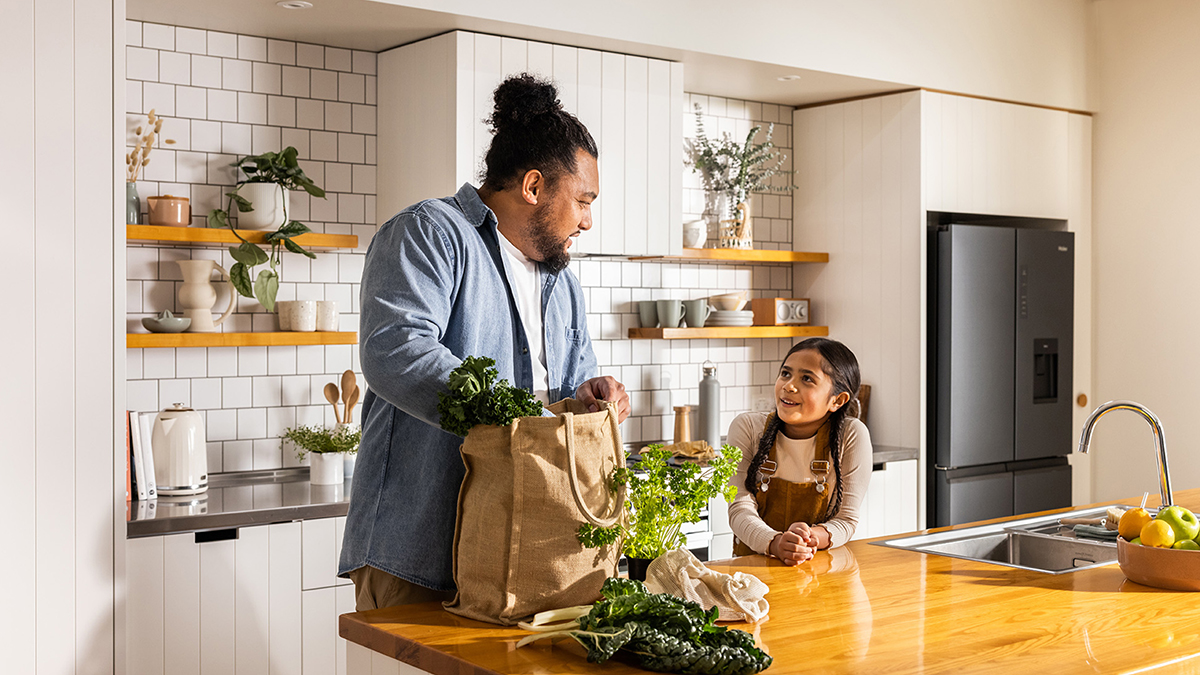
<point>475,397</point>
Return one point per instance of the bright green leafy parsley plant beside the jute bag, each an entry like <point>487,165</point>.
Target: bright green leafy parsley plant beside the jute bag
<point>662,500</point>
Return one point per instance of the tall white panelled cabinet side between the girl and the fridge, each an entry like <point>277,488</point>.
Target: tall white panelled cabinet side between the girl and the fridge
<point>859,199</point>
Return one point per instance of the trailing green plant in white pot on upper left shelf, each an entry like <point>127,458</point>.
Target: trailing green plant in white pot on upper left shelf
<point>268,180</point>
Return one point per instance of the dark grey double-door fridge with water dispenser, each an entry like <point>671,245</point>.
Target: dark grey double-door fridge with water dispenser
<point>1001,321</point>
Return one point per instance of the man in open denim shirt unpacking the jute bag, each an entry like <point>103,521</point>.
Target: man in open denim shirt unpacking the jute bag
<point>483,273</point>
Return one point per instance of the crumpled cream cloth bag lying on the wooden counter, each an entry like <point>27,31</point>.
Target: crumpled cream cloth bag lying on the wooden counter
<point>741,598</point>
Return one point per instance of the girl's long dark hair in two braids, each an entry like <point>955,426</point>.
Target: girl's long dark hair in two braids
<point>841,366</point>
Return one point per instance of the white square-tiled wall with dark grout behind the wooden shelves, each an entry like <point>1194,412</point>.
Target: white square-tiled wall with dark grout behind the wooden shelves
<point>230,95</point>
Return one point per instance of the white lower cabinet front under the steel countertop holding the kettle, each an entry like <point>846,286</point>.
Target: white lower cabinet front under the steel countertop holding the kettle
<point>218,607</point>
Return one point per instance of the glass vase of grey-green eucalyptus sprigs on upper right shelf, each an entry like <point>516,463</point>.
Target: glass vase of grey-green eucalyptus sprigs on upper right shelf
<point>736,171</point>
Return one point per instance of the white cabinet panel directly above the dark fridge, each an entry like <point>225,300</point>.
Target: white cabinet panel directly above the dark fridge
<point>993,158</point>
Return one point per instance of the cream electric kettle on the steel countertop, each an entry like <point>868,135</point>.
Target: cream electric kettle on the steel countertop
<point>181,452</point>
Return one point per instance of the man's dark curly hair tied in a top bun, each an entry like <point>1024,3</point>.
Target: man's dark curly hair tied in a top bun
<point>532,132</point>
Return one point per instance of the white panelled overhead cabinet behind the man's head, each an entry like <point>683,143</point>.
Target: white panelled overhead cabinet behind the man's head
<point>435,98</point>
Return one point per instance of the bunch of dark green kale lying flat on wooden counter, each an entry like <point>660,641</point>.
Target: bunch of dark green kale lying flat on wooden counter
<point>665,634</point>
